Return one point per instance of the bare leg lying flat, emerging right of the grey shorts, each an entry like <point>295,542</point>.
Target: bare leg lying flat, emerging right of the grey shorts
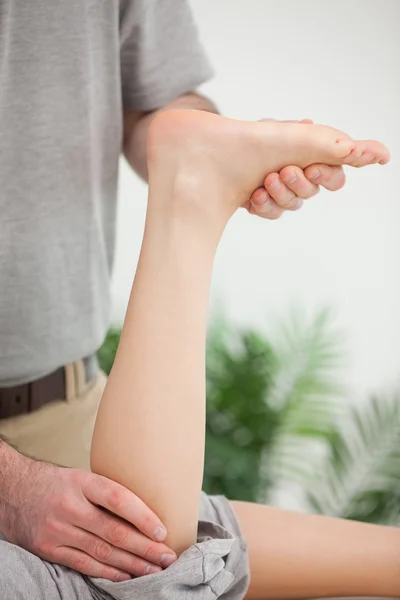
<point>296,556</point>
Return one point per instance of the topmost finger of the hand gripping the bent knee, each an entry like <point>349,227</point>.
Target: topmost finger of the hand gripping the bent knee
<point>120,501</point>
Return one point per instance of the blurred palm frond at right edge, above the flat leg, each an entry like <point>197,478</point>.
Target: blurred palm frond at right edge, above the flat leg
<point>361,479</point>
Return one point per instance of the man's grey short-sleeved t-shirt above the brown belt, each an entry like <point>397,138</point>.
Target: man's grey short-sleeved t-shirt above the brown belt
<point>67,70</point>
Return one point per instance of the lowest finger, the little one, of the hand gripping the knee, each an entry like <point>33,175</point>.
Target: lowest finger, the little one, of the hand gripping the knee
<point>83,563</point>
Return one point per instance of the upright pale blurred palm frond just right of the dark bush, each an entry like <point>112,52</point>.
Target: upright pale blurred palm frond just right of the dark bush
<point>308,396</point>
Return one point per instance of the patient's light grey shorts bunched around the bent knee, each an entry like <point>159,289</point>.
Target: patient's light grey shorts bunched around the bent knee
<point>215,567</point>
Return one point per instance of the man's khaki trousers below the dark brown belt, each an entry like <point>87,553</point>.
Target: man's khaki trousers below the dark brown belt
<point>60,432</point>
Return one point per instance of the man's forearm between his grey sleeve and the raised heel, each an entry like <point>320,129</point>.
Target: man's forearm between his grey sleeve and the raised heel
<point>136,127</point>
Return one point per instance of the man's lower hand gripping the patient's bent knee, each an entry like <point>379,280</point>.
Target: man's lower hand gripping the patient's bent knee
<point>81,520</point>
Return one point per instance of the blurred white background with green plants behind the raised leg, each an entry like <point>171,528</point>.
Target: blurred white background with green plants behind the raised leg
<point>304,344</point>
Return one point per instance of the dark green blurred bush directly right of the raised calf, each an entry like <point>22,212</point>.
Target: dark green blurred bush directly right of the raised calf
<point>240,425</point>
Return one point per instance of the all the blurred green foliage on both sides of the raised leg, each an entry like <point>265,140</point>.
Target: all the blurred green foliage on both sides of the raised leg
<point>276,417</point>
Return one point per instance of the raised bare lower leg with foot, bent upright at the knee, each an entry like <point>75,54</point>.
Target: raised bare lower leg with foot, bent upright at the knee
<point>149,434</point>
